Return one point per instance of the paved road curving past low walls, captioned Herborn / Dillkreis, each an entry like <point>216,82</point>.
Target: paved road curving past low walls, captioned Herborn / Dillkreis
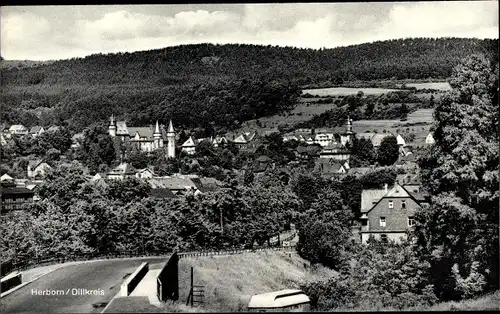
<point>105,275</point>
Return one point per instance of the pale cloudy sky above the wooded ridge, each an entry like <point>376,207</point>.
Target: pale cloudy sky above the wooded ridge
<point>62,32</point>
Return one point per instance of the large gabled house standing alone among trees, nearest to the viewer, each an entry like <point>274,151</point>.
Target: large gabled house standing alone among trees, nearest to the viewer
<point>387,214</point>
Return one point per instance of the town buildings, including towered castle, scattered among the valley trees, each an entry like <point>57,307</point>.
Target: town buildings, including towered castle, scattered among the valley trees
<point>328,152</point>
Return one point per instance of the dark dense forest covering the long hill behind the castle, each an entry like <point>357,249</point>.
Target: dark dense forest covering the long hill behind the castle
<point>209,85</point>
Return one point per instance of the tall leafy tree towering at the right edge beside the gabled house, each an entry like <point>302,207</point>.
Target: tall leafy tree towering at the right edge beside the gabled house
<point>458,233</point>
